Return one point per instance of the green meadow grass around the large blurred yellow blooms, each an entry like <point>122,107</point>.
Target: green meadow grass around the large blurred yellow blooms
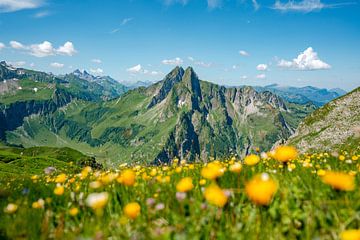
<point>302,208</point>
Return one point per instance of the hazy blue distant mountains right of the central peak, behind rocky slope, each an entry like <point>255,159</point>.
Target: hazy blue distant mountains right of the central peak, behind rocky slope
<point>304,94</point>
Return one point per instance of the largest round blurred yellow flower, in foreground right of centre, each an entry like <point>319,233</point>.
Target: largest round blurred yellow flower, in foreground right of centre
<point>261,189</point>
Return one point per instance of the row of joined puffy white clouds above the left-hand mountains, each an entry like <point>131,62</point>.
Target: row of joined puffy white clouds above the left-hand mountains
<point>45,49</point>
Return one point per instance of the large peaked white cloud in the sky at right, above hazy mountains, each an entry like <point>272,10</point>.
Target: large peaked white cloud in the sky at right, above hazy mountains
<point>307,60</point>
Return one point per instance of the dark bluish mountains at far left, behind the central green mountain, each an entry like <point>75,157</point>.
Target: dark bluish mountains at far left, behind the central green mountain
<point>25,92</point>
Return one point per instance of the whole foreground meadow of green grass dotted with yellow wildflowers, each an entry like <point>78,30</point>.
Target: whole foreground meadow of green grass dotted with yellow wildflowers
<point>275,195</point>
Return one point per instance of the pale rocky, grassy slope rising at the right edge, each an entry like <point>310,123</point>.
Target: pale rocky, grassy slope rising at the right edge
<point>332,126</point>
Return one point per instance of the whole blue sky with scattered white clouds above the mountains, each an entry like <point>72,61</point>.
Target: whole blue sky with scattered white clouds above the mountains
<point>231,42</point>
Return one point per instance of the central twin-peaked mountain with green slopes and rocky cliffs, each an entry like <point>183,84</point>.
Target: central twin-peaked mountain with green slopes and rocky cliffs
<point>180,116</point>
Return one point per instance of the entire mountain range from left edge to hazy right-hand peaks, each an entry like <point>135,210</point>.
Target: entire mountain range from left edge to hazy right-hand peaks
<point>180,116</point>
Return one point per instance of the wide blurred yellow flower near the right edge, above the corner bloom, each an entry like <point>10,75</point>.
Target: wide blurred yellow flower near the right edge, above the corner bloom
<point>339,181</point>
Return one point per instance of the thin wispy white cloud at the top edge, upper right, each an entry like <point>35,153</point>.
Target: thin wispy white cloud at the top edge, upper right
<point>305,5</point>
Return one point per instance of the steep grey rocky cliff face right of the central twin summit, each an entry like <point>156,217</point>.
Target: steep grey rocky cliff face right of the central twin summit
<point>217,121</point>
